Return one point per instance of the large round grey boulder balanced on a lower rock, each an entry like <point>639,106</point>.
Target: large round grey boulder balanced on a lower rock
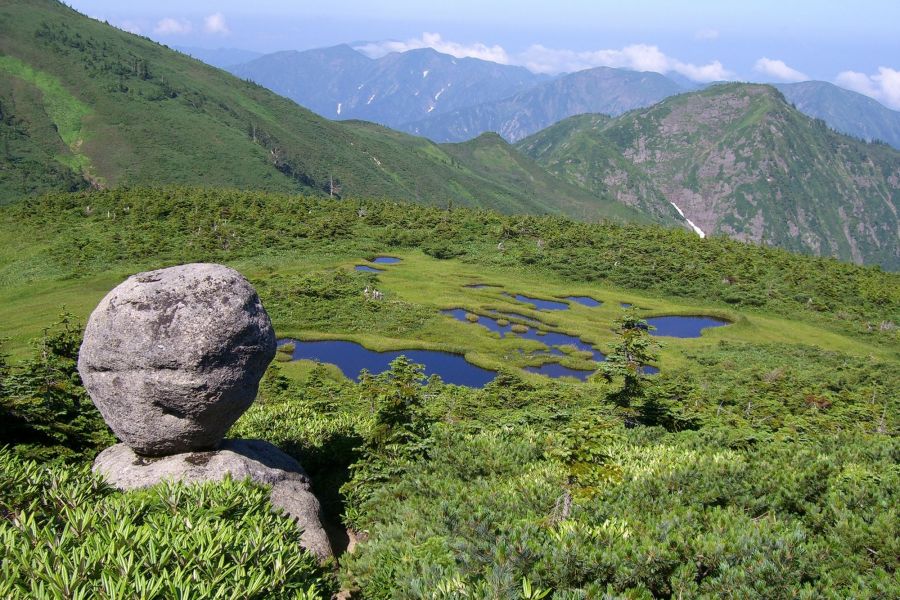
<point>173,357</point>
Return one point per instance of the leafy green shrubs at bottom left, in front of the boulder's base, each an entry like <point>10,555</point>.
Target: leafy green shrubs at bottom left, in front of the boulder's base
<point>65,534</point>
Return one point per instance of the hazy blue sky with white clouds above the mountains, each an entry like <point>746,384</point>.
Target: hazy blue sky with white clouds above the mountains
<point>853,43</point>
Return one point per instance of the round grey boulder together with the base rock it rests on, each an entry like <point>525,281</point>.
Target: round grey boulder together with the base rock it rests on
<point>172,358</point>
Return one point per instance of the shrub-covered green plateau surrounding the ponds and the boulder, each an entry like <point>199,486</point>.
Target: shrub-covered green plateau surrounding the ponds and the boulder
<point>760,462</point>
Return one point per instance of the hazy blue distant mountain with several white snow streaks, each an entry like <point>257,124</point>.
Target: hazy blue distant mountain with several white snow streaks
<point>341,83</point>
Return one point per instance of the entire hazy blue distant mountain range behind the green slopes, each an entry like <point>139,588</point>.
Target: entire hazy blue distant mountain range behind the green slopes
<point>448,99</point>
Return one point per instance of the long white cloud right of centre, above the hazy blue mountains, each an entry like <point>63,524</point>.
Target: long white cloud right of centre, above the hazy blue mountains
<point>639,57</point>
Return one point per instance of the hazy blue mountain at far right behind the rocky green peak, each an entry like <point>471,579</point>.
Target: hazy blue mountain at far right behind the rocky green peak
<point>845,111</point>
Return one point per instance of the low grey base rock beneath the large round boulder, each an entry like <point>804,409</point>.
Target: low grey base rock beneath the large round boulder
<point>260,461</point>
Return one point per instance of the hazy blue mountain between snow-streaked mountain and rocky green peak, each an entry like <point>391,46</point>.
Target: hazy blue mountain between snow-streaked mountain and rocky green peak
<point>601,90</point>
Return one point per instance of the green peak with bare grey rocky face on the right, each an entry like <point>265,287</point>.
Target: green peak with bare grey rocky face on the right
<point>739,161</point>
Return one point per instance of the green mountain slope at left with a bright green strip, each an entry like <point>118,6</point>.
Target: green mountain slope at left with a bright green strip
<point>84,104</point>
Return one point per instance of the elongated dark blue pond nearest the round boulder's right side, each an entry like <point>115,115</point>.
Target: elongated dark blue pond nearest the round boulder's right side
<point>351,358</point>
